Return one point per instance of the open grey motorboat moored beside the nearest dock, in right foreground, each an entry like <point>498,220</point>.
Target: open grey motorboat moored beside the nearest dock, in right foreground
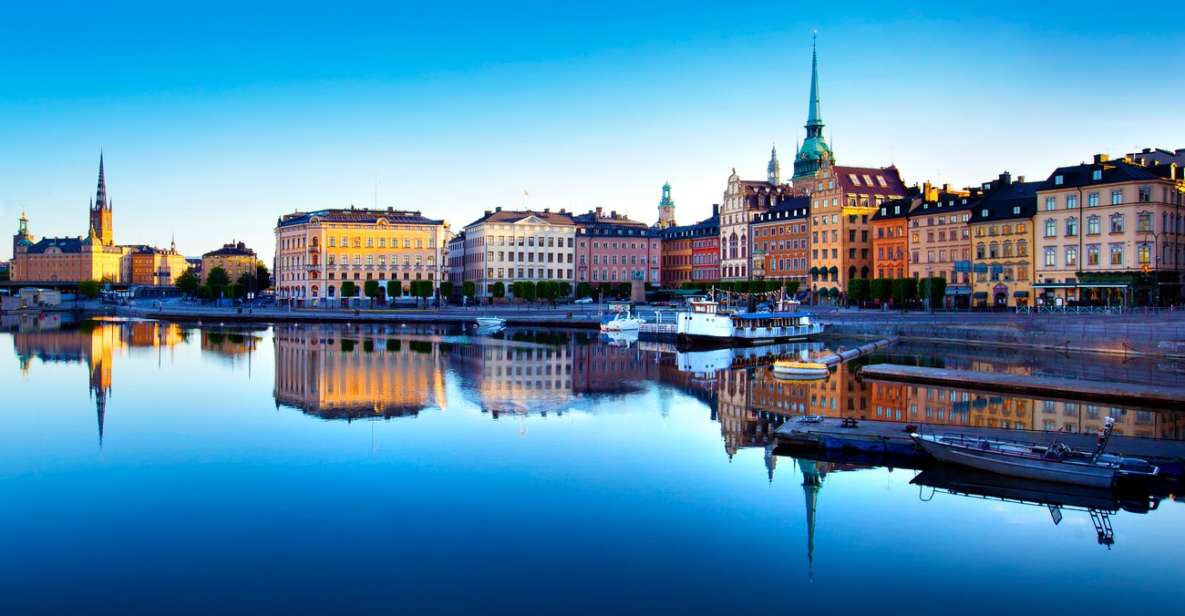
<point>1058,463</point>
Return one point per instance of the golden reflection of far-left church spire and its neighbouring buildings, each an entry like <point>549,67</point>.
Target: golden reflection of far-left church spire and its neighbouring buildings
<point>95,344</point>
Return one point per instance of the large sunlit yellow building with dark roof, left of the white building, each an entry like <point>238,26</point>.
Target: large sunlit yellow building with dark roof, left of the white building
<point>317,252</point>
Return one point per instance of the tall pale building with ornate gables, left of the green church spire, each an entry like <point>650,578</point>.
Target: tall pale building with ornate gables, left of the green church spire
<point>744,201</point>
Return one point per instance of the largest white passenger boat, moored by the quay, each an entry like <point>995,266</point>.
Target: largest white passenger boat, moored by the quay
<point>708,323</point>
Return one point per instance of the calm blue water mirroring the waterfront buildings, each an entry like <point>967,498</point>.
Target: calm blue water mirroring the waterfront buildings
<point>156,469</point>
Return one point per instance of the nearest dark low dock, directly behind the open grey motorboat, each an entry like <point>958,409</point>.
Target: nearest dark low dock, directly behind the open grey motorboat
<point>893,439</point>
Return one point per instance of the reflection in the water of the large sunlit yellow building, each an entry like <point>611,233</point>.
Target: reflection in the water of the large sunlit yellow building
<point>363,373</point>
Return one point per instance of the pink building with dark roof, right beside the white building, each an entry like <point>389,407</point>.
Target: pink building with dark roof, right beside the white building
<point>612,248</point>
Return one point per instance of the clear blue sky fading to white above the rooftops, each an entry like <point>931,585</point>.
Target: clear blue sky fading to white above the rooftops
<point>216,119</point>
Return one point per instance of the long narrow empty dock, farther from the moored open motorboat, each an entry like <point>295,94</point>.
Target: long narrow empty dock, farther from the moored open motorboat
<point>1128,394</point>
